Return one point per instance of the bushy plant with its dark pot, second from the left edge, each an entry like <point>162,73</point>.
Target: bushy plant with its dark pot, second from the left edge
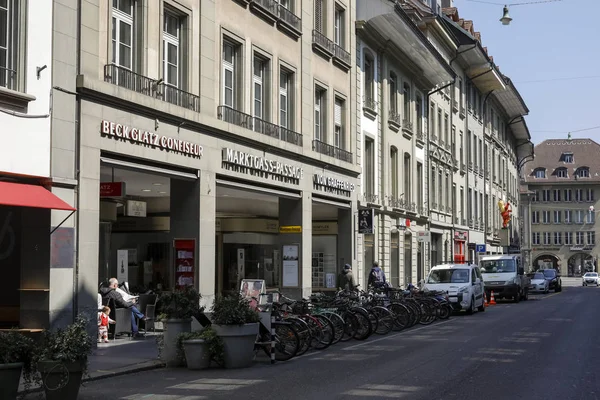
<point>62,359</point>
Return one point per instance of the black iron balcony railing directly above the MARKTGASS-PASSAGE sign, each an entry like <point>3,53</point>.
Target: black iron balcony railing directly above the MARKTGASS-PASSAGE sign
<point>266,128</point>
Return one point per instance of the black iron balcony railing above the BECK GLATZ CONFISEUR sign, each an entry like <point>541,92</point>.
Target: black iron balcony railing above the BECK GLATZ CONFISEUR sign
<point>130,80</point>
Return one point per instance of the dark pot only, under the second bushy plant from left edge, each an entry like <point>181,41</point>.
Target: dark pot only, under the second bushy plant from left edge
<point>61,380</point>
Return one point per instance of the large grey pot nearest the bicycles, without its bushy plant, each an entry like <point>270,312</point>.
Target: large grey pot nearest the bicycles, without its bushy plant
<point>238,343</point>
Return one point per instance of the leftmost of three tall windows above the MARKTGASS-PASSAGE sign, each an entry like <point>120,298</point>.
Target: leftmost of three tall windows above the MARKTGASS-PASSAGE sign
<point>231,75</point>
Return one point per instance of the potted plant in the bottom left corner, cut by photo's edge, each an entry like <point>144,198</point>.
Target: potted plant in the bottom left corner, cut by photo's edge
<point>16,357</point>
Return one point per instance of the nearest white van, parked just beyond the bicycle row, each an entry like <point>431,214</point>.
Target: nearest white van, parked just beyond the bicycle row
<point>464,285</point>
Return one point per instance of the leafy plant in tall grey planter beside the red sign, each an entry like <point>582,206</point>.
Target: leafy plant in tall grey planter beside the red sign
<point>176,311</point>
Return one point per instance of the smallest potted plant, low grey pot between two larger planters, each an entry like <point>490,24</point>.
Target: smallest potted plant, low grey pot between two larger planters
<point>199,348</point>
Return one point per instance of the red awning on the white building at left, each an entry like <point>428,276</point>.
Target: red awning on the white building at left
<point>22,195</point>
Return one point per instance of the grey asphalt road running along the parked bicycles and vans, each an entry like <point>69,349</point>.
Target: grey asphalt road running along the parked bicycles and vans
<point>545,348</point>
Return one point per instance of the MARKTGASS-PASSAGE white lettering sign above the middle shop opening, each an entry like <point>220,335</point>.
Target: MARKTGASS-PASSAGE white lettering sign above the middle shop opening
<point>261,166</point>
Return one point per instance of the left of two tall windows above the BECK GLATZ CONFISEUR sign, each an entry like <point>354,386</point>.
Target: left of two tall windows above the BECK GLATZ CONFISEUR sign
<point>122,33</point>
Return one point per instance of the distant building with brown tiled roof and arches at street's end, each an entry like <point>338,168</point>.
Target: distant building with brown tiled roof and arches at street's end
<point>562,186</point>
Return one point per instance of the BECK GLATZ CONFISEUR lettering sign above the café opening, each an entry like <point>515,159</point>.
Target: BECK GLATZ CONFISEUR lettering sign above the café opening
<point>134,135</point>
